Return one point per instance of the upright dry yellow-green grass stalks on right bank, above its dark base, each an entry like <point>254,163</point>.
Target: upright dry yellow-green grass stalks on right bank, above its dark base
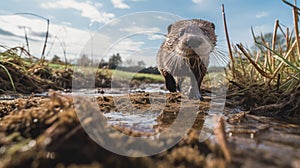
<point>274,64</point>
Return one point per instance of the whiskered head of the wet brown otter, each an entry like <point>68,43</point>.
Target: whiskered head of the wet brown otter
<point>192,38</point>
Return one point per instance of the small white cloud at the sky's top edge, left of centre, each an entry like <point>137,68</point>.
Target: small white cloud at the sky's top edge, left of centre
<point>88,9</point>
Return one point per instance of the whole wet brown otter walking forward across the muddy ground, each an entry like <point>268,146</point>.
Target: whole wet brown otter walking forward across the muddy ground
<point>185,52</point>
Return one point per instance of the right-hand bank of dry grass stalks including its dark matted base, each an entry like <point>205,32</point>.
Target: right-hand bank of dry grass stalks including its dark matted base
<point>266,78</point>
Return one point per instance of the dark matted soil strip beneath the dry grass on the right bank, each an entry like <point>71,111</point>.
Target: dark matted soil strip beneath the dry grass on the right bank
<point>262,100</point>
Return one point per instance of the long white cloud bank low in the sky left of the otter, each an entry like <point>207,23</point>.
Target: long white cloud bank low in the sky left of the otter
<point>77,41</point>
